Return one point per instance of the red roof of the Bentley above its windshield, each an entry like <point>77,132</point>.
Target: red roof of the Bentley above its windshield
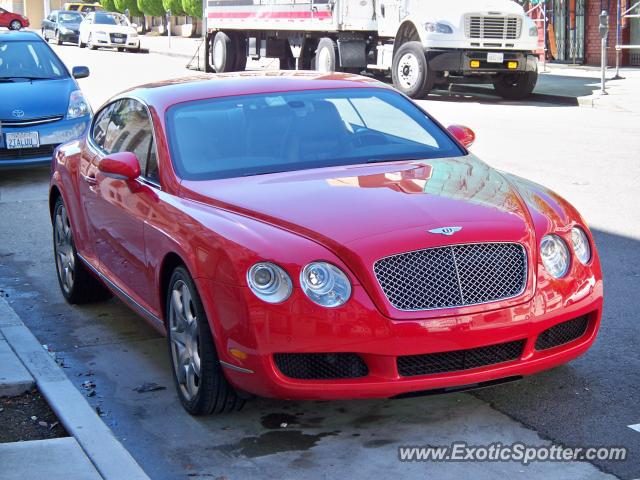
<point>164,94</point>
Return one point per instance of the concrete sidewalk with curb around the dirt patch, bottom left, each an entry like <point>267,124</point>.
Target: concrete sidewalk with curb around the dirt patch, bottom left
<point>92,453</point>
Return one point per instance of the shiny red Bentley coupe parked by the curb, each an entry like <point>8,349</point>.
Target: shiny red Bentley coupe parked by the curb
<point>318,237</point>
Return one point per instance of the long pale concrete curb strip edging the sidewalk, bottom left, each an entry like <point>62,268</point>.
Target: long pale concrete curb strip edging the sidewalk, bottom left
<point>107,454</point>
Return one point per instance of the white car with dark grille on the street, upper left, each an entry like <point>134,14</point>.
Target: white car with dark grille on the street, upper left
<point>108,29</point>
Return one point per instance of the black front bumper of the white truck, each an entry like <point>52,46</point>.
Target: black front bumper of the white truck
<point>460,61</point>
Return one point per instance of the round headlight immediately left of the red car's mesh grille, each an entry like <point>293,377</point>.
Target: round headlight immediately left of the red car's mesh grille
<point>325,284</point>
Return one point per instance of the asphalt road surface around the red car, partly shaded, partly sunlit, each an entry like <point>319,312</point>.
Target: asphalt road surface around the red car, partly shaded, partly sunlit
<point>588,156</point>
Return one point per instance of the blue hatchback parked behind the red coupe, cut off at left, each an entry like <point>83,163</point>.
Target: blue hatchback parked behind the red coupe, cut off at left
<point>41,105</point>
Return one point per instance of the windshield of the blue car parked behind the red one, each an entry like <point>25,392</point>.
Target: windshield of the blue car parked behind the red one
<point>32,60</point>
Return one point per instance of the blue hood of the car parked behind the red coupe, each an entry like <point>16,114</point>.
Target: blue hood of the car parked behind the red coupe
<point>36,99</point>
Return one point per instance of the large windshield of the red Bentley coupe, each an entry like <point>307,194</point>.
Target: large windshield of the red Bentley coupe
<point>277,132</point>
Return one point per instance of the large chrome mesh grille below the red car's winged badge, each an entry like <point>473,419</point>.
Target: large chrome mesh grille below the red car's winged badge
<point>453,276</point>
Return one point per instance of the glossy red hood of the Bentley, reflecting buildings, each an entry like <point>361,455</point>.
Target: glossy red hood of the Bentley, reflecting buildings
<point>346,205</point>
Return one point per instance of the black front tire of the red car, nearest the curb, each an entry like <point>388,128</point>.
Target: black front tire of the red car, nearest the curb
<point>214,393</point>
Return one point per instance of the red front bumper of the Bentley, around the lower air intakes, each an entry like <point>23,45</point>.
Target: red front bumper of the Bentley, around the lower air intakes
<point>261,332</point>
